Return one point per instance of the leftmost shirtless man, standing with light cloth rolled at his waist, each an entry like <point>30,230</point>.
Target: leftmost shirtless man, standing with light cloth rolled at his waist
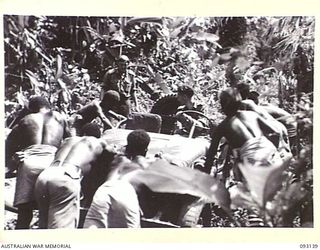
<point>30,148</point>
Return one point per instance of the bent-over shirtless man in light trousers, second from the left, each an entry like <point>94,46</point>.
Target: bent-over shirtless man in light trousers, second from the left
<point>57,189</point>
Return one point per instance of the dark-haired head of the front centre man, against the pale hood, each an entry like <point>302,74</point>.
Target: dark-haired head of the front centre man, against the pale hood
<point>137,143</point>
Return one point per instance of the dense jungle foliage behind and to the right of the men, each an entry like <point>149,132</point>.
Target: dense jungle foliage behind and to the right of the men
<point>65,58</point>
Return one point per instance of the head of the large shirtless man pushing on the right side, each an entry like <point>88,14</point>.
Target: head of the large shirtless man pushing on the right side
<point>230,100</point>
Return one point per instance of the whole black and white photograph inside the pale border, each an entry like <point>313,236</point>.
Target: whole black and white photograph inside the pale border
<point>158,122</point>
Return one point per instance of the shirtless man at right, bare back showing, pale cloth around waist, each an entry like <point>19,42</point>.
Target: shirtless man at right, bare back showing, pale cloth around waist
<point>246,133</point>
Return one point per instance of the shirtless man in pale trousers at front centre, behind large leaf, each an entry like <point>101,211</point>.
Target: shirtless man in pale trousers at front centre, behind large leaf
<point>115,204</point>
